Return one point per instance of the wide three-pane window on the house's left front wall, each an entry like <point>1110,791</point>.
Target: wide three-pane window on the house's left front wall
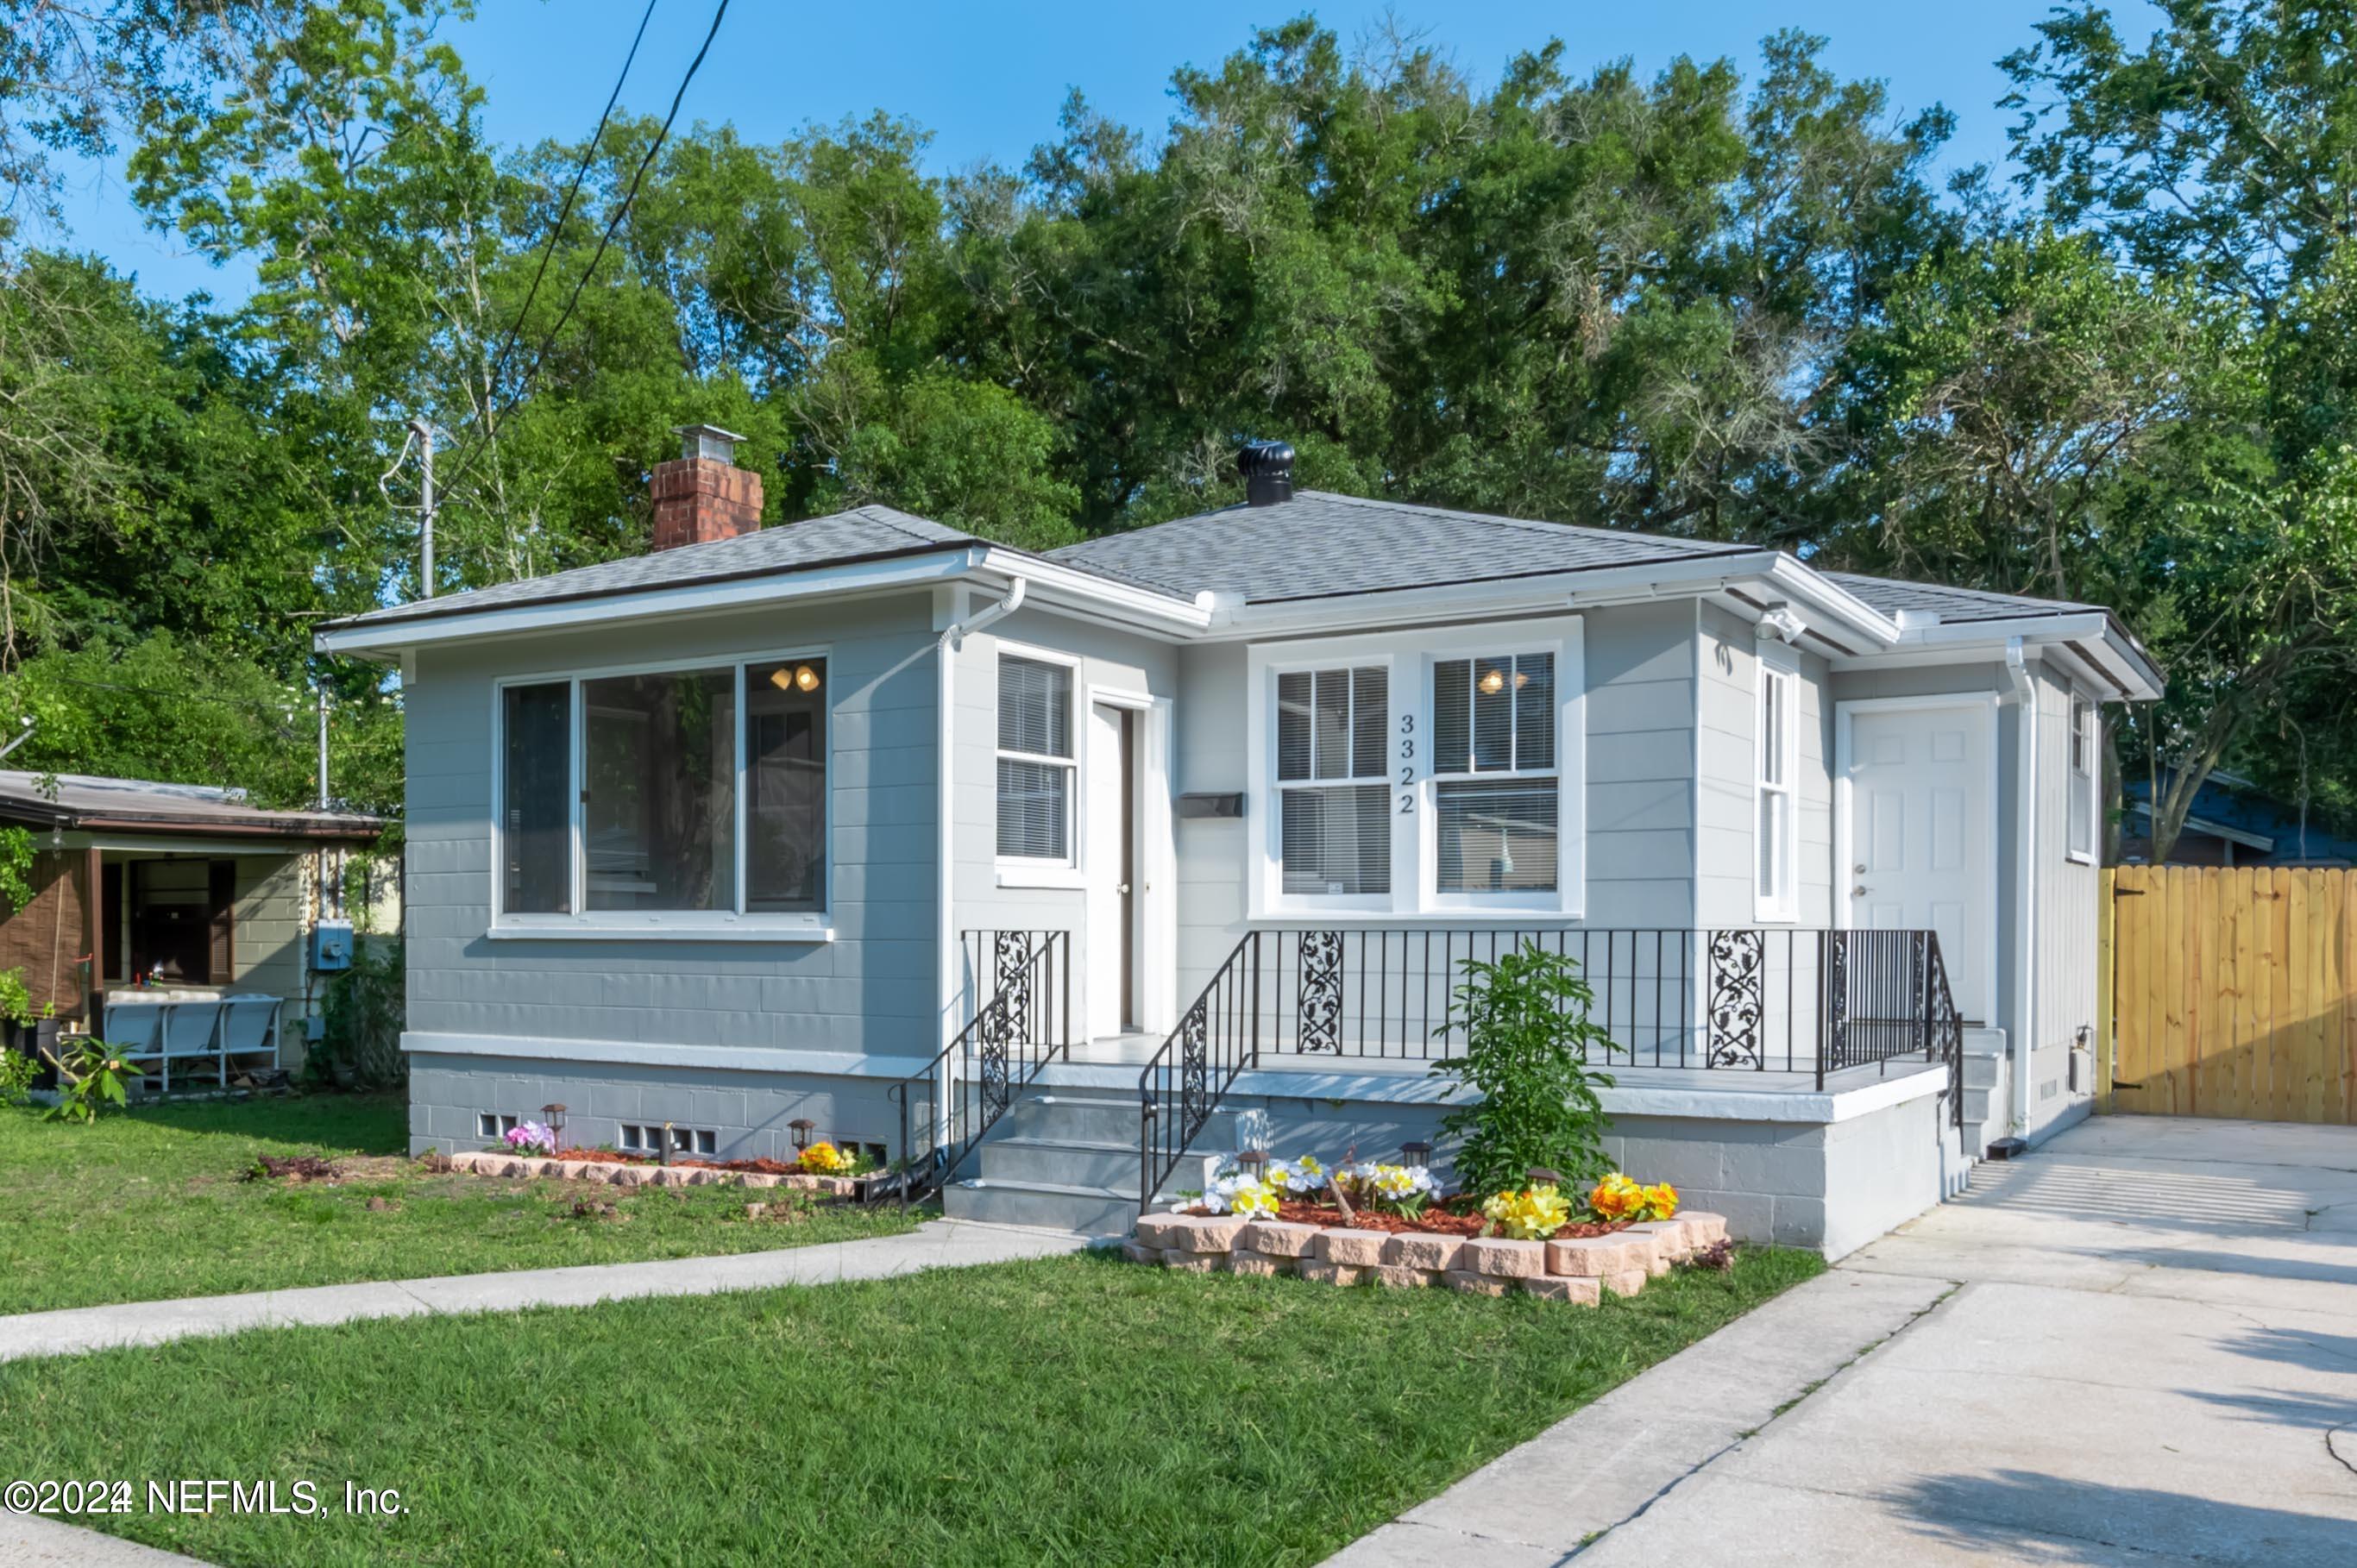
<point>666,798</point>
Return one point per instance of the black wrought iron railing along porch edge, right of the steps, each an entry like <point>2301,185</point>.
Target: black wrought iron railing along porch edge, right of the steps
<point>1727,1001</point>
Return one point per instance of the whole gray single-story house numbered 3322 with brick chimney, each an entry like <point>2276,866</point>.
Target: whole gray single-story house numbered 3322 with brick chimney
<point>1189,829</point>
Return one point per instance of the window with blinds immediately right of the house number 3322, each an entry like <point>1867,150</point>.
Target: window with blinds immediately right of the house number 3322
<point>1496,784</point>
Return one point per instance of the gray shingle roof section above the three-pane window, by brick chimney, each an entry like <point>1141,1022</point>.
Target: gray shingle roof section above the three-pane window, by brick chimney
<point>821,541</point>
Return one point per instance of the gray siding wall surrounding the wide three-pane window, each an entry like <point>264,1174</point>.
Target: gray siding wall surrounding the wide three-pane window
<point>866,991</point>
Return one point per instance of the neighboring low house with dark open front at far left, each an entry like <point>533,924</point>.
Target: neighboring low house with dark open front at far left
<point>199,909</point>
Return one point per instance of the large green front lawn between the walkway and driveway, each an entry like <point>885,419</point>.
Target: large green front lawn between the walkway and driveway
<point>1067,1411</point>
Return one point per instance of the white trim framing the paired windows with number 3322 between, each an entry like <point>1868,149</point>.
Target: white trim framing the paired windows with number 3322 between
<point>1408,661</point>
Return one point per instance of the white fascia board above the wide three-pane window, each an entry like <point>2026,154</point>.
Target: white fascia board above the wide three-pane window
<point>649,605</point>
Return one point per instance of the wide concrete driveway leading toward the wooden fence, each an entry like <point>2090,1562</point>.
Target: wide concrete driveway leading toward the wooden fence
<point>2137,1345</point>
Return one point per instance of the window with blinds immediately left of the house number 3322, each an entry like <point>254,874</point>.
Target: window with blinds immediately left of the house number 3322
<point>1335,815</point>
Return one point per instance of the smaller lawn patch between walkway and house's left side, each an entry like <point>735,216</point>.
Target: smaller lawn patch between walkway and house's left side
<point>150,1206</point>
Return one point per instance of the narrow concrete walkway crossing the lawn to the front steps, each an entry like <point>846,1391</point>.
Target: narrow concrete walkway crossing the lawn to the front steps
<point>944,1244</point>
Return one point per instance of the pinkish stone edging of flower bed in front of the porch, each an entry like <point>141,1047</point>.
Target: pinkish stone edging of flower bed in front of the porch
<point>1578,1270</point>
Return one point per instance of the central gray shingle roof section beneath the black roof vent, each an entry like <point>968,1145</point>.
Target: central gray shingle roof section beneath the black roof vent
<point>1316,546</point>
